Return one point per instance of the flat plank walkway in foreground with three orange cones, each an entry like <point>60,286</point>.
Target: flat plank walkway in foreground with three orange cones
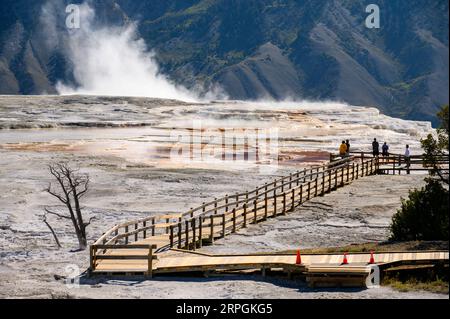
<point>310,264</point>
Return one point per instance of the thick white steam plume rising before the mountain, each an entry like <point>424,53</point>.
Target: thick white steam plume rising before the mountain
<point>114,61</point>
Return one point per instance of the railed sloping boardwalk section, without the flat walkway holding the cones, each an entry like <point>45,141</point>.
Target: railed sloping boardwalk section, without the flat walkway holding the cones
<point>128,244</point>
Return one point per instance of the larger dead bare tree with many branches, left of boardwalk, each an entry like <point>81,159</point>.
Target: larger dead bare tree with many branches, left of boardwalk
<point>71,187</point>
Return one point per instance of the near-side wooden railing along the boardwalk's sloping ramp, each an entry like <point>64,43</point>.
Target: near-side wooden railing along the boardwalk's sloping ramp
<point>272,200</point>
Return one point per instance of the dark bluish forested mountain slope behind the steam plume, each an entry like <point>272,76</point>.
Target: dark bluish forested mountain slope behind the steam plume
<point>263,48</point>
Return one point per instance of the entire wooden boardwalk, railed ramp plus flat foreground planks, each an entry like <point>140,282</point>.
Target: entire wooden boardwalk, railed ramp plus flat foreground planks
<point>146,246</point>
